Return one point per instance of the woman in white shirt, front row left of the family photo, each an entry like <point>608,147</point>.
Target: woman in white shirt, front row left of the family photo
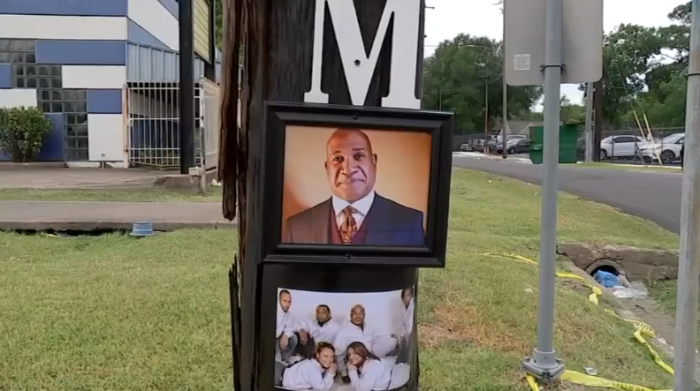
<point>316,373</point>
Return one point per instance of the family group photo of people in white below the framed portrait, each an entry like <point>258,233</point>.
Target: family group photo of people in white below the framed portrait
<point>344,341</point>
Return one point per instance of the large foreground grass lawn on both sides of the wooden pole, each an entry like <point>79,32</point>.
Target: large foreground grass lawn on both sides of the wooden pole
<point>112,313</point>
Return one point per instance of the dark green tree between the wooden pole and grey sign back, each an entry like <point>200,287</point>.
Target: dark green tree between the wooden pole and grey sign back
<point>463,75</point>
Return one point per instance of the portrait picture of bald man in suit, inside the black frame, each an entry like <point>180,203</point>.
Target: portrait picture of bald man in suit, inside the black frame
<point>346,186</point>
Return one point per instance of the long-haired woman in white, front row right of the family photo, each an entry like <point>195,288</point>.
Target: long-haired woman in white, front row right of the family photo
<point>367,372</point>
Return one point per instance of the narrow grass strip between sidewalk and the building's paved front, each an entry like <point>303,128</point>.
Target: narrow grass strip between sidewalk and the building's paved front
<point>150,195</point>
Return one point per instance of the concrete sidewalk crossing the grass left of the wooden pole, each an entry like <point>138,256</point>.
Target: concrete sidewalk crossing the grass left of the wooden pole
<point>54,215</point>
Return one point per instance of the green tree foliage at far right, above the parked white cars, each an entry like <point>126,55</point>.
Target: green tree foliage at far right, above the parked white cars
<point>643,73</point>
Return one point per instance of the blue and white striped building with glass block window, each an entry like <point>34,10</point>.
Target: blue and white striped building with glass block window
<point>78,59</point>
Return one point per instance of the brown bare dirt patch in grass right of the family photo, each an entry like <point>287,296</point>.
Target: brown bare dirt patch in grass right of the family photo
<point>465,325</point>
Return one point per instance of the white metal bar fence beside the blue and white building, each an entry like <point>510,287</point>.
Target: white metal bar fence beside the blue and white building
<point>153,128</point>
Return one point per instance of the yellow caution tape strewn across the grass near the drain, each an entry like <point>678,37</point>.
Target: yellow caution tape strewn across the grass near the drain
<point>641,329</point>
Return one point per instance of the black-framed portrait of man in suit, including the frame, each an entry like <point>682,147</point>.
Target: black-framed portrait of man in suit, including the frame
<point>346,184</point>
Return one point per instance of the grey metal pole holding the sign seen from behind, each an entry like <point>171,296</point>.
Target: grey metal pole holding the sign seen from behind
<point>544,364</point>
